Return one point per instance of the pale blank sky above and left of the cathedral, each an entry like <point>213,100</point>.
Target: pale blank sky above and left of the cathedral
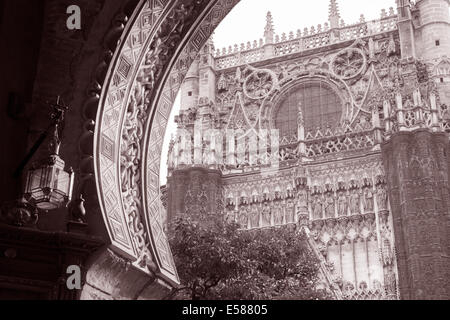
<point>247,20</point>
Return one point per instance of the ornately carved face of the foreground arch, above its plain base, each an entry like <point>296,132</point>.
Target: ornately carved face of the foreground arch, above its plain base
<point>134,227</point>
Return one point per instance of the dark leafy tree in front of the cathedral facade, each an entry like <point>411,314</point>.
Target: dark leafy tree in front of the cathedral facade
<point>218,261</point>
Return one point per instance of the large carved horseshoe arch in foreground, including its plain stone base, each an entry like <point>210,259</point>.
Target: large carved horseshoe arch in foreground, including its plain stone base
<point>130,99</point>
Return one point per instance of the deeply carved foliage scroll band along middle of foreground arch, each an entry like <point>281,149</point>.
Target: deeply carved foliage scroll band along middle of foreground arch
<point>133,133</point>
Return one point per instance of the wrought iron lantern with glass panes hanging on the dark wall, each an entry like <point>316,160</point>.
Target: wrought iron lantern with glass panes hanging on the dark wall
<point>48,185</point>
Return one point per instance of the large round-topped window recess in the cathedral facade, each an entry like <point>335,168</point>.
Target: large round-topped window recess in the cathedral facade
<point>321,107</point>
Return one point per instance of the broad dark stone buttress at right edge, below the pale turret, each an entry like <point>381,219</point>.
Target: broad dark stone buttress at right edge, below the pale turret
<point>416,164</point>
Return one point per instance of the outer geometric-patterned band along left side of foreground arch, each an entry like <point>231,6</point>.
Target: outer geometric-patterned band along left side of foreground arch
<point>130,49</point>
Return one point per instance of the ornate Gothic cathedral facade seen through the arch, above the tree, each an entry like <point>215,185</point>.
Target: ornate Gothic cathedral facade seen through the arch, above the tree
<point>342,129</point>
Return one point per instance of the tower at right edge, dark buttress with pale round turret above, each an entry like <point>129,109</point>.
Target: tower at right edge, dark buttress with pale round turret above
<point>416,158</point>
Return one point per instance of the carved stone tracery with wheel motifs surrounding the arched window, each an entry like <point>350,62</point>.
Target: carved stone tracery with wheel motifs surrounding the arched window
<point>354,85</point>
